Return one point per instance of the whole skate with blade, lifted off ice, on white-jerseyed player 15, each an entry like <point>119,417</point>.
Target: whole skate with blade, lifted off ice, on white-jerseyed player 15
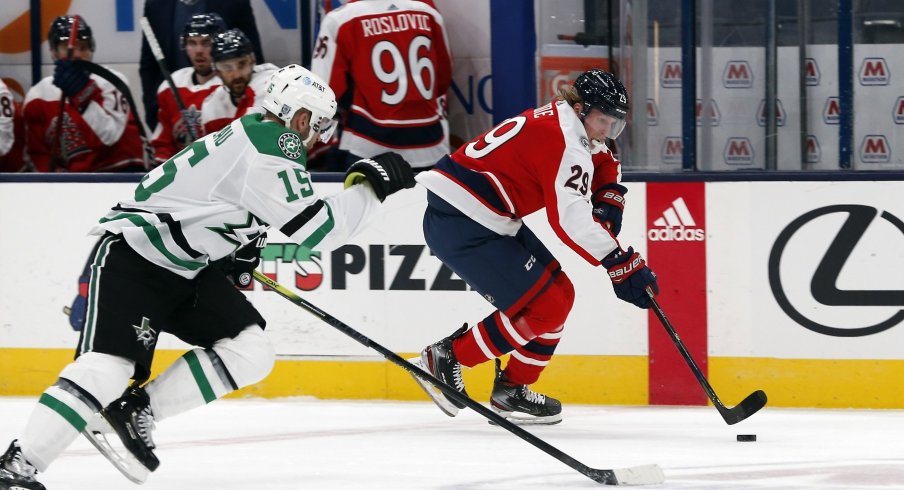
<point>130,419</point>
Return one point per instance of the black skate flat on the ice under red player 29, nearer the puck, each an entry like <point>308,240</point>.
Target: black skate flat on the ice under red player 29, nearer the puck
<point>520,404</point>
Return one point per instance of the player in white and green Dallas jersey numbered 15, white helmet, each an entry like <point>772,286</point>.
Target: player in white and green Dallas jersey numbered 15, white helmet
<point>151,274</point>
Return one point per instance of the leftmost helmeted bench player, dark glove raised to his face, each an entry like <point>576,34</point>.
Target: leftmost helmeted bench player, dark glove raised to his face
<point>99,129</point>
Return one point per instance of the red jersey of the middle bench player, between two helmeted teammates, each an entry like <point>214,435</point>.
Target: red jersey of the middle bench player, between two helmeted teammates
<point>171,134</point>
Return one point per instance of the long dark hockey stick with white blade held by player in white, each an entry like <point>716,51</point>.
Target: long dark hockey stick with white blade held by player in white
<point>637,475</point>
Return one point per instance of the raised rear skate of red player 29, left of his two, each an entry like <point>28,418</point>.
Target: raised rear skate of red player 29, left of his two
<point>439,360</point>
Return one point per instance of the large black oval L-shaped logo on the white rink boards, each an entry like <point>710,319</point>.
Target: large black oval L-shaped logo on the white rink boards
<point>827,287</point>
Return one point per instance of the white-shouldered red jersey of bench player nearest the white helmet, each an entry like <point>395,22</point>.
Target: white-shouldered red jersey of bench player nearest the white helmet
<point>217,110</point>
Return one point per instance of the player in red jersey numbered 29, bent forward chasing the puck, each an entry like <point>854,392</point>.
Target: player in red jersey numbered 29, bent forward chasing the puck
<point>551,157</point>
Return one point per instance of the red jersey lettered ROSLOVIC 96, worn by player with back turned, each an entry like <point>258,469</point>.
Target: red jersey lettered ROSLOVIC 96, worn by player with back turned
<point>390,60</point>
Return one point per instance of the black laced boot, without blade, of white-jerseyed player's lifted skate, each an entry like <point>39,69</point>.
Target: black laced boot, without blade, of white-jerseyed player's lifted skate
<point>130,416</point>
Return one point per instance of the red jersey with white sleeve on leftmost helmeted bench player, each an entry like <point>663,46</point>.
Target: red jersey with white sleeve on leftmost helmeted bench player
<point>102,138</point>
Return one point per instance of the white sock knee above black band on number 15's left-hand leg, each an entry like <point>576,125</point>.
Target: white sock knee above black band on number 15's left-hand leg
<point>103,376</point>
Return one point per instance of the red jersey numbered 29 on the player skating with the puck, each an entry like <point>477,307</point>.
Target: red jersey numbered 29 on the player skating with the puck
<point>539,159</point>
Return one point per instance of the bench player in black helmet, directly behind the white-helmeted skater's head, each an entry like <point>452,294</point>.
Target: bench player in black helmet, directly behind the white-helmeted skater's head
<point>243,81</point>
